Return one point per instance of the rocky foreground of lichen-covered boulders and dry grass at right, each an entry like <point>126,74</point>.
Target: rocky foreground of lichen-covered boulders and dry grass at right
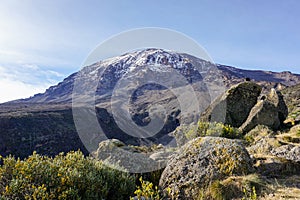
<point>259,159</point>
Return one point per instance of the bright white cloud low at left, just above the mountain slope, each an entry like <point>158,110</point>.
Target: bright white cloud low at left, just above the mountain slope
<point>23,81</point>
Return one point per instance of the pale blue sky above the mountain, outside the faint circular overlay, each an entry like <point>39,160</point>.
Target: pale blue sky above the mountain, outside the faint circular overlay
<point>41,42</point>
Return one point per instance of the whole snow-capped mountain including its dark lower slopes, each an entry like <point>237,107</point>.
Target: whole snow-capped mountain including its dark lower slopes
<point>137,88</point>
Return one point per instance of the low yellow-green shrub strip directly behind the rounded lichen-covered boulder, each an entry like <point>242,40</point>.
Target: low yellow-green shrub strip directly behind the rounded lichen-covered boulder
<point>213,129</point>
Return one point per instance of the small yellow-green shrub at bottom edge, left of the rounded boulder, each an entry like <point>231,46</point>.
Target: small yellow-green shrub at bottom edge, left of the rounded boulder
<point>146,191</point>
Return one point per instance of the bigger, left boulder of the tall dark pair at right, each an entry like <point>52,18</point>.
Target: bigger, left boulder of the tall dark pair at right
<point>234,106</point>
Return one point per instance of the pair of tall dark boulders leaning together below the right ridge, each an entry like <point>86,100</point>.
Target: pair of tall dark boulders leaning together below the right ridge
<point>244,106</point>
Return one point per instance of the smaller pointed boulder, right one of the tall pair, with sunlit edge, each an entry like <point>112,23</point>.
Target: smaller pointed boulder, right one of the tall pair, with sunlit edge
<point>270,111</point>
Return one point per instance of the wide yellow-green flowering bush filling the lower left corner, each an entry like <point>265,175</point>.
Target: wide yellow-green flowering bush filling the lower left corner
<point>66,176</point>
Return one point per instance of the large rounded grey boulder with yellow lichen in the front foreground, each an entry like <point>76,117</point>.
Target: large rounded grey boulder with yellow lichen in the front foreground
<point>201,161</point>
